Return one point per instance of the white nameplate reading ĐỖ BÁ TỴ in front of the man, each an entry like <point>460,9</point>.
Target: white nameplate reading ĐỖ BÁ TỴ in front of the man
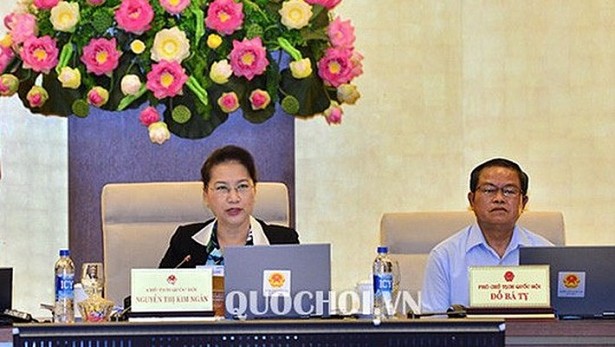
<point>511,287</point>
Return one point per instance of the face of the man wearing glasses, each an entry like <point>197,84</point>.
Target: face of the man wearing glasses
<point>498,200</point>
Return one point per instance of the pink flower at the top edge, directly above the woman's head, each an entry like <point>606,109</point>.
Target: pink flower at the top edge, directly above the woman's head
<point>224,16</point>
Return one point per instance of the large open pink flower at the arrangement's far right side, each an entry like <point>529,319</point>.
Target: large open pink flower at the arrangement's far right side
<point>335,67</point>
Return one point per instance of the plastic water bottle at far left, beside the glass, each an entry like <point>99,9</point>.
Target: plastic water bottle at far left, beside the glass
<point>64,309</point>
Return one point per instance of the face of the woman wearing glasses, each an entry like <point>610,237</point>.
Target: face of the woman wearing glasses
<point>230,194</point>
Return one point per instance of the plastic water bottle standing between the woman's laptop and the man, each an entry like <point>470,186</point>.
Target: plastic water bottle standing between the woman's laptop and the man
<point>384,280</point>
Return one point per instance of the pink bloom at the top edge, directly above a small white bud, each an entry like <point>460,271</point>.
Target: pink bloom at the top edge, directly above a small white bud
<point>134,16</point>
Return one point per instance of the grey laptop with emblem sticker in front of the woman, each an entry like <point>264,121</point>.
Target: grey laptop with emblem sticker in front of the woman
<point>277,281</point>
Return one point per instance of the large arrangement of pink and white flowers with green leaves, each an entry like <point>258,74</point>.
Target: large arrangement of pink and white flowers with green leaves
<point>201,59</point>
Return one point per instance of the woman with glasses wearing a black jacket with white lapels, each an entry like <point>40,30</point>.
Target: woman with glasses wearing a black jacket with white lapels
<point>229,189</point>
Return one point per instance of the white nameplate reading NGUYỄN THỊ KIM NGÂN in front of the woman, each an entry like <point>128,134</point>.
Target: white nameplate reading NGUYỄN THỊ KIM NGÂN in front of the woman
<point>171,290</point>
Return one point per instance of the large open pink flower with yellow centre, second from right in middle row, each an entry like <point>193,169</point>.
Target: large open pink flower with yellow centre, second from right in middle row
<point>248,58</point>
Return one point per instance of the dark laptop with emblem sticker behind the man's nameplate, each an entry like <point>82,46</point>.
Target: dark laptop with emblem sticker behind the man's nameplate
<point>581,279</point>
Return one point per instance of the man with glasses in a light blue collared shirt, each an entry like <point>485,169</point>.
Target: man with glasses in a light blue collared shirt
<point>498,195</point>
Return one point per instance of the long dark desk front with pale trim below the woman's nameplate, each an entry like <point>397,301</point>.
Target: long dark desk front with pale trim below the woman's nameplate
<point>267,333</point>
